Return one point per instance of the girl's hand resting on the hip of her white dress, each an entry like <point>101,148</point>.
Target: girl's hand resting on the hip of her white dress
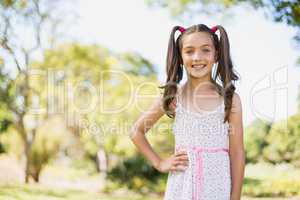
<point>176,162</point>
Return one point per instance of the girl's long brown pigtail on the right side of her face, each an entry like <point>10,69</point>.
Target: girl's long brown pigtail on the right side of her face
<point>225,71</point>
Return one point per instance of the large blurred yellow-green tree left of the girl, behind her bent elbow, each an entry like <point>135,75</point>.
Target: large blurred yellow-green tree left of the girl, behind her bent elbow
<point>100,82</point>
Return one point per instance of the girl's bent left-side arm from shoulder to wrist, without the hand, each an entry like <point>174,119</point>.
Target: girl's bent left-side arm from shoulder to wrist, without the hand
<point>140,128</point>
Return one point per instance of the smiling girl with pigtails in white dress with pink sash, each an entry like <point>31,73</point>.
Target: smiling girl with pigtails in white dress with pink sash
<point>208,162</point>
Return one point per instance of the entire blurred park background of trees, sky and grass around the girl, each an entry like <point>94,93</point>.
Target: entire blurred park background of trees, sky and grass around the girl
<point>75,75</point>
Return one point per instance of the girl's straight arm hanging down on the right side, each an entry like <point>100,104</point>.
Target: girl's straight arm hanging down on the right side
<point>236,148</point>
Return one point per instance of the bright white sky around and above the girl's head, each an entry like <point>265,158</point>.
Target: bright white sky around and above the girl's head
<point>263,52</point>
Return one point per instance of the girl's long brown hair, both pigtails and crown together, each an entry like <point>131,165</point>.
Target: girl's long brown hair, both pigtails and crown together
<point>224,70</point>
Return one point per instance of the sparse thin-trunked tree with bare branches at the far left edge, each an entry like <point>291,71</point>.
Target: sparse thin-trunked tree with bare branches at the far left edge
<point>40,19</point>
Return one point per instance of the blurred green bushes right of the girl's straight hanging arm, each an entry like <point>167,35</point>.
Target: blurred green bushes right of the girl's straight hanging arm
<point>275,142</point>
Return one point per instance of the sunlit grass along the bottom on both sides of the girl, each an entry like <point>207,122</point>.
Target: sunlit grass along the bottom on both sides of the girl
<point>263,181</point>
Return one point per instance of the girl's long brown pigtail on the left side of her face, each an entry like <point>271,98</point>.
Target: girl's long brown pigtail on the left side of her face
<point>174,71</point>
